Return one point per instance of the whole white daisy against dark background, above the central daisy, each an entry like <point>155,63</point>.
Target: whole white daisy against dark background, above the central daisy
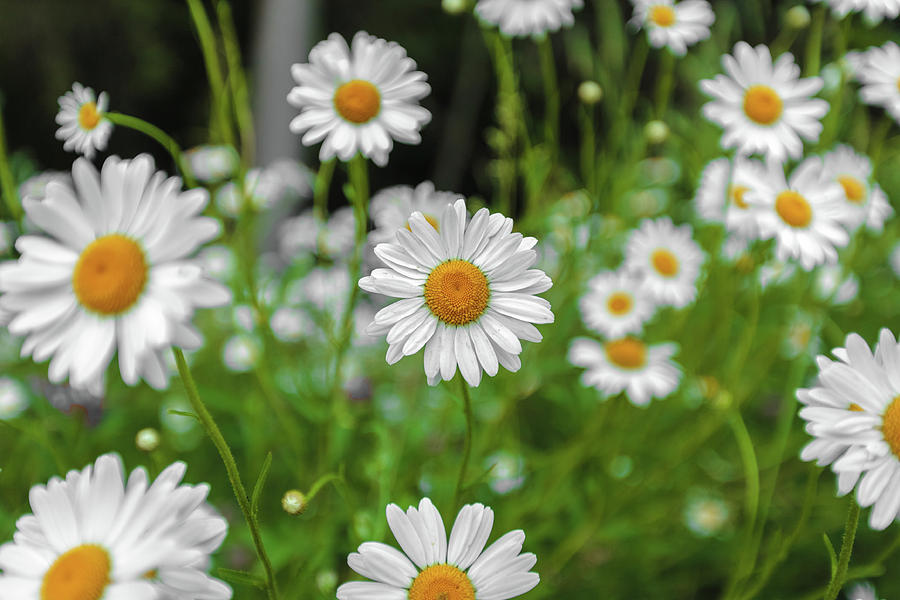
<point>358,98</point>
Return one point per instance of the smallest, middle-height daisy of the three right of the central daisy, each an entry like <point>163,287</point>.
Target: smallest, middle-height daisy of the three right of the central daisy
<point>616,304</point>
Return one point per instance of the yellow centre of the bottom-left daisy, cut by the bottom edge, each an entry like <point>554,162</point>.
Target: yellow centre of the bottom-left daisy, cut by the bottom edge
<point>82,573</point>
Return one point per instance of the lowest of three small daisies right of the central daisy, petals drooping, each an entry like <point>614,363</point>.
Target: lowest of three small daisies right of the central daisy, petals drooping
<point>643,372</point>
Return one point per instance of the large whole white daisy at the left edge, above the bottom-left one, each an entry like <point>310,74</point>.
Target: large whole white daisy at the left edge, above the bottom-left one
<point>112,273</point>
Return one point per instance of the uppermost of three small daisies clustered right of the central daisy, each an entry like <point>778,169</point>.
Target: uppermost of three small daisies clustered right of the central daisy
<point>667,258</point>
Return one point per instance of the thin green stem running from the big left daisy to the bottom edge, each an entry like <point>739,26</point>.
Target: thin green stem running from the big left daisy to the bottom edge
<point>234,476</point>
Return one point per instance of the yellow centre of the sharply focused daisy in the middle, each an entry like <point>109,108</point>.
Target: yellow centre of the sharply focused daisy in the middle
<point>457,292</point>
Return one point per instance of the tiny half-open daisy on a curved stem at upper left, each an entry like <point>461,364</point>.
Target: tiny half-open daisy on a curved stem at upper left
<point>81,117</point>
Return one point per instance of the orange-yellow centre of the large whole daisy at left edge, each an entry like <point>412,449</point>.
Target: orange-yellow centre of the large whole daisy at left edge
<point>110,274</point>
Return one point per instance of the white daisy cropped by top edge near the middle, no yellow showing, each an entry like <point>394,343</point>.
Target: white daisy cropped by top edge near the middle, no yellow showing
<point>527,17</point>
